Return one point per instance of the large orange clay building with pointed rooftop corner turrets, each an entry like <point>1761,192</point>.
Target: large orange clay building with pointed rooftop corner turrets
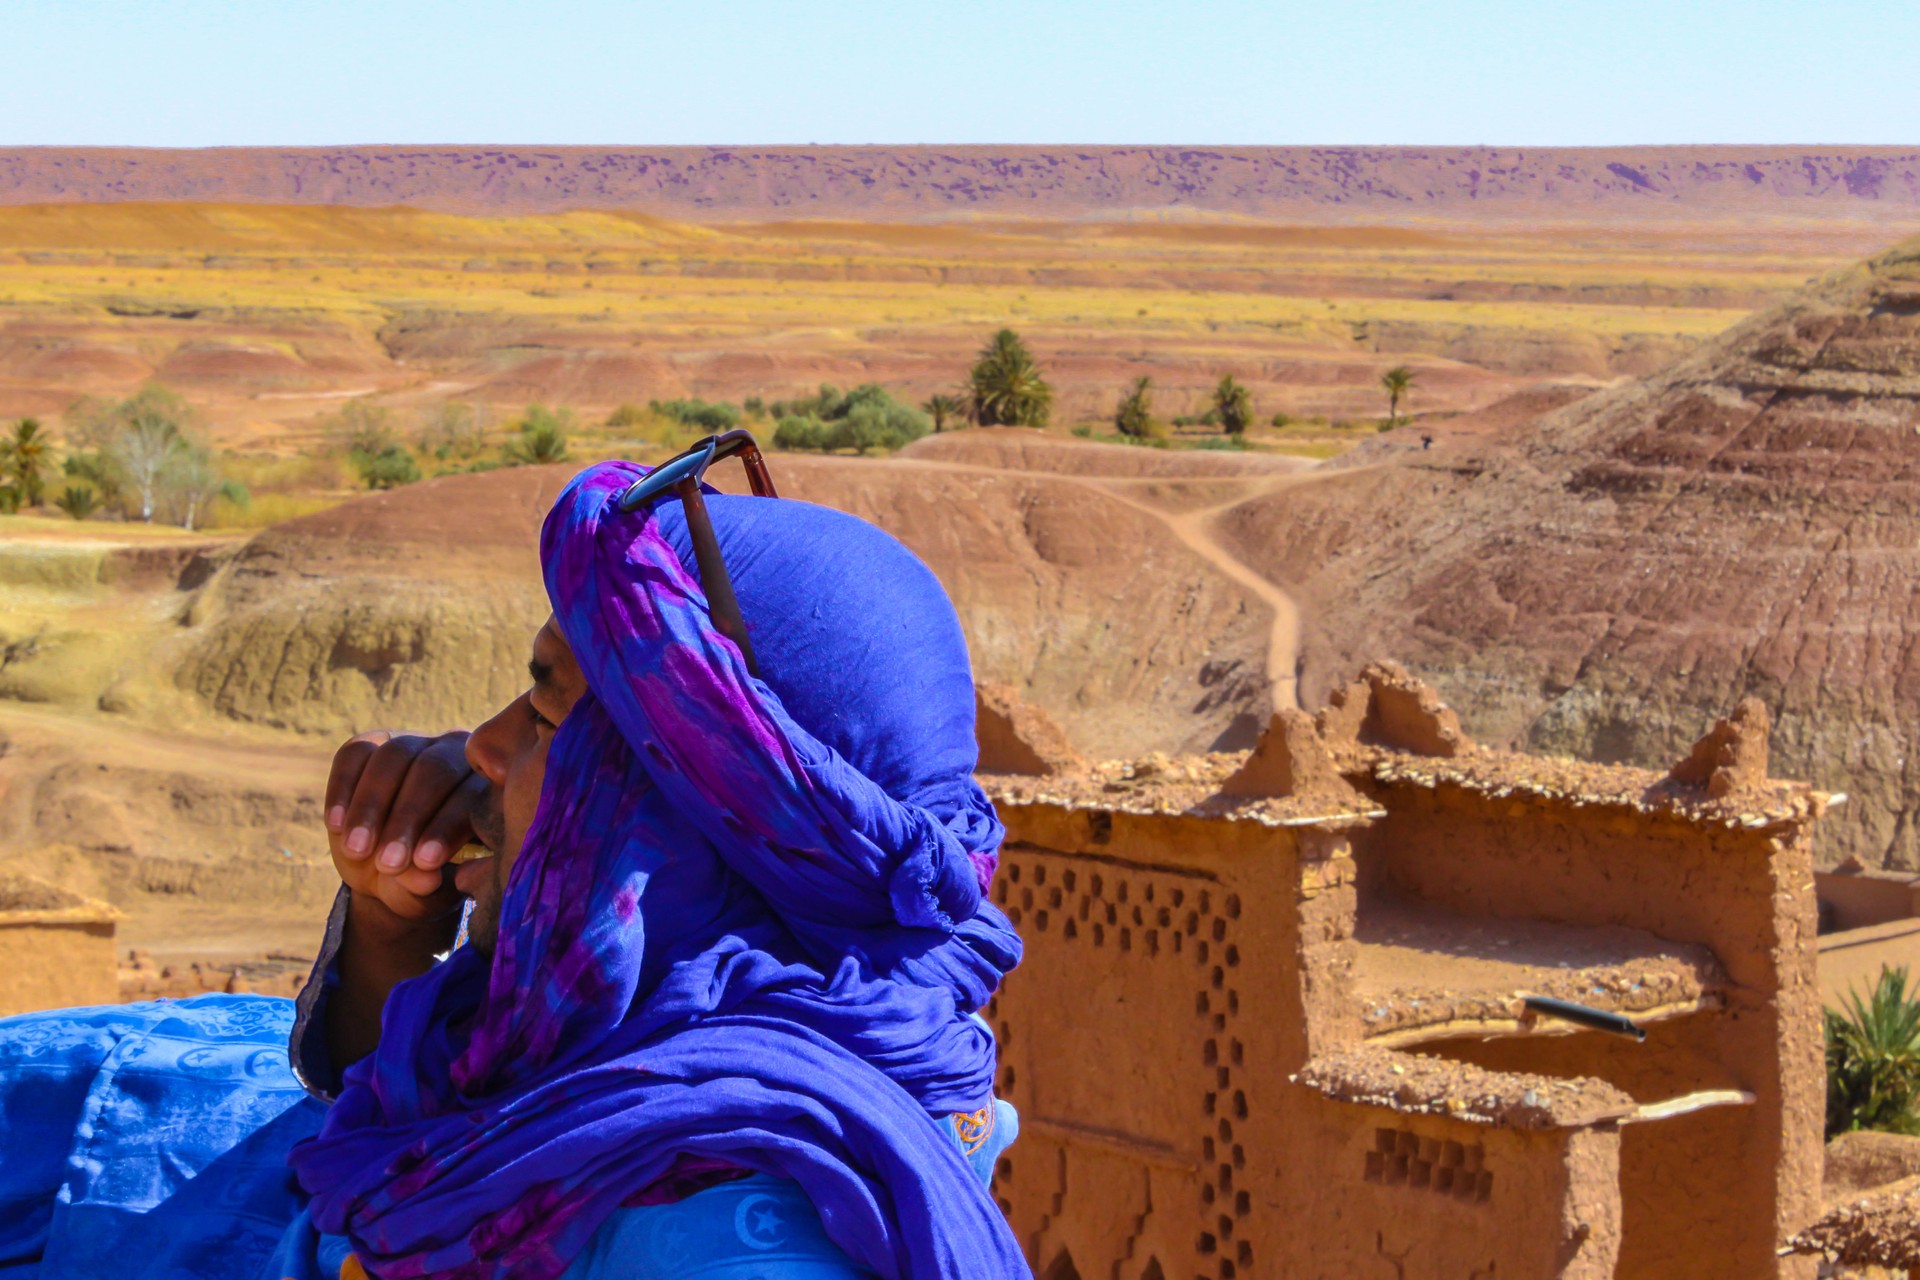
<point>1295,1016</point>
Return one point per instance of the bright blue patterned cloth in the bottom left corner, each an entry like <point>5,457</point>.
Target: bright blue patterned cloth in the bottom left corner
<point>149,1141</point>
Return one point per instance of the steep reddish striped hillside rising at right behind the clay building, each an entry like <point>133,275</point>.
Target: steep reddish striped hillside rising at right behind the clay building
<point>1602,581</point>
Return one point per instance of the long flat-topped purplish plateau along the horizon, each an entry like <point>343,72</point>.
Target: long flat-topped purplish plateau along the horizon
<point>1030,181</point>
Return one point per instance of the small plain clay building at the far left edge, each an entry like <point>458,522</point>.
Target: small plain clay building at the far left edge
<point>57,947</point>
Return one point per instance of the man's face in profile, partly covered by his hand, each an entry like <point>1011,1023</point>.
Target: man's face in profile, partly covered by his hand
<point>512,753</point>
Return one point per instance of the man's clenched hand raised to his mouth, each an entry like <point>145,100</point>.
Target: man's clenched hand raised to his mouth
<point>398,807</point>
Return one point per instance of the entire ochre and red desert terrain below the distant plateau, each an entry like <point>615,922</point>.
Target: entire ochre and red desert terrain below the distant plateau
<point>170,698</point>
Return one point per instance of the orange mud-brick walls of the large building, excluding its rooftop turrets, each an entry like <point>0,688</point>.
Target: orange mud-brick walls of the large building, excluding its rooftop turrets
<point>1182,970</point>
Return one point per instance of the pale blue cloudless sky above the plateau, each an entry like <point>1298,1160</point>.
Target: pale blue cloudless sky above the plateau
<point>779,72</point>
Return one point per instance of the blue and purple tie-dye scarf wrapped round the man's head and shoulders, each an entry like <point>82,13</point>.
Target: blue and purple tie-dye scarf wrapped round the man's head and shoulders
<point>748,924</point>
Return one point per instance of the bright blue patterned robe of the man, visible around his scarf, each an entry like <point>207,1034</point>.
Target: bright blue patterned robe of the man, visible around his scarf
<point>149,1143</point>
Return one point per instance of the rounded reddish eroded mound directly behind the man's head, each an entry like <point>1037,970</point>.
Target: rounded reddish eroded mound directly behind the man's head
<point>418,607</point>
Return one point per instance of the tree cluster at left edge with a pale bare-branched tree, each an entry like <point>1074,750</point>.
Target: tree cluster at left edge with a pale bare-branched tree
<point>137,458</point>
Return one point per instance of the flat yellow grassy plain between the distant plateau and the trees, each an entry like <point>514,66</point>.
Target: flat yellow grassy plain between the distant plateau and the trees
<point>270,318</point>
